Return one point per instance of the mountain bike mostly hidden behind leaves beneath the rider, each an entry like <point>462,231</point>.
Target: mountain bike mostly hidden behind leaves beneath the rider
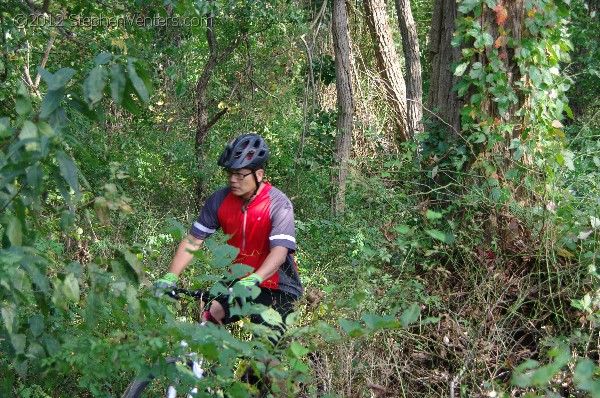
<point>193,361</point>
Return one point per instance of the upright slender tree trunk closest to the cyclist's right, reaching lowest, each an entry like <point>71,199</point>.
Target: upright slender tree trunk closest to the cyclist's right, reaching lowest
<point>345,99</point>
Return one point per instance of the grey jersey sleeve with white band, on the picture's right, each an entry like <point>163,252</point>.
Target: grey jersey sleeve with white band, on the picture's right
<point>283,231</point>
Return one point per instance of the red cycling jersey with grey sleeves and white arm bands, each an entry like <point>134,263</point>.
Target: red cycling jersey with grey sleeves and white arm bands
<point>254,228</point>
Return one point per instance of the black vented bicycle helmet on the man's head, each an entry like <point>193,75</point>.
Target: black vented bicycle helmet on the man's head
<point>248,151</point>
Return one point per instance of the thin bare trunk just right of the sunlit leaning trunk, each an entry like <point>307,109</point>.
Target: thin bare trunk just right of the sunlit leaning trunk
<point>414,83</point>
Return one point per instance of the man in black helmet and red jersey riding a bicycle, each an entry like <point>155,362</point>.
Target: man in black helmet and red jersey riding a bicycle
<point>259,220</point>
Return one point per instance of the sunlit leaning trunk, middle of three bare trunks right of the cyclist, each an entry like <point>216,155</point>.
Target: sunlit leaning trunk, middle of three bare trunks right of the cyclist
<point>388,64</point>
